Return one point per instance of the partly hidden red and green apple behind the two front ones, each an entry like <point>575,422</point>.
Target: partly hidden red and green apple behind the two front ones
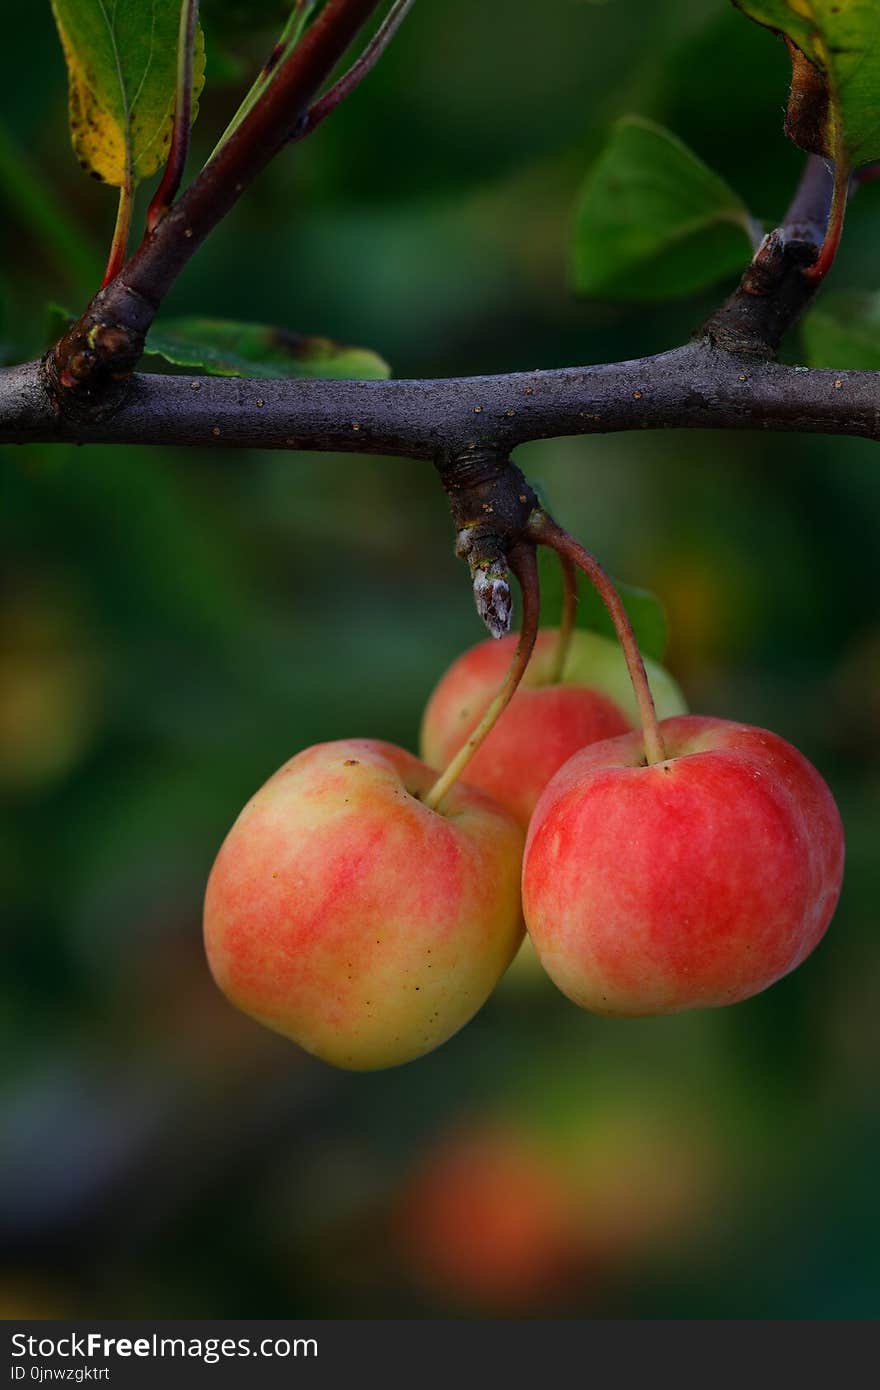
<point>546,723</point>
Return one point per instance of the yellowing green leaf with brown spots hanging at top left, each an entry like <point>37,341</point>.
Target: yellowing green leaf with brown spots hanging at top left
<point>122,63</point>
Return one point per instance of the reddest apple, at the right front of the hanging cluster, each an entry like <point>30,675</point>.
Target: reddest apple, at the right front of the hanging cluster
<point>686,885</point>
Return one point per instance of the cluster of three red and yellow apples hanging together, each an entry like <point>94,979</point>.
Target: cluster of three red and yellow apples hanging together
<point>350,914</point>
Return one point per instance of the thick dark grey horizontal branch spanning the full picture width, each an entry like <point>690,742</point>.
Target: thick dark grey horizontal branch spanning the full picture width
<point>697,387</point>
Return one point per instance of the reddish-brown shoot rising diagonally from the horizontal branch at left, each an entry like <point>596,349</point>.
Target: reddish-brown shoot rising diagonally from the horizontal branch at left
<point>108,341</point>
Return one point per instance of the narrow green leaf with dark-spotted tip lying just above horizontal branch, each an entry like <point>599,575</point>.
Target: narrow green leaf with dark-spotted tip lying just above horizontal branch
<point>230,350</point>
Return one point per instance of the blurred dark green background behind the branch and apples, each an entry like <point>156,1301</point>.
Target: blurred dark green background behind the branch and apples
<point>173,632</point>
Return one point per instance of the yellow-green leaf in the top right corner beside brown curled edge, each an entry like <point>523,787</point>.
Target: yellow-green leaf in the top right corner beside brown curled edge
<point>840,115</point>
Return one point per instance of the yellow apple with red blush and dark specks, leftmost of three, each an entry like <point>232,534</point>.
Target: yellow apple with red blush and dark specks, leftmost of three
<point>348,917</point>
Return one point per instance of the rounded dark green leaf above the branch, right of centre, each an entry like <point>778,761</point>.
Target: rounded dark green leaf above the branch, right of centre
<point>654,222</point>
